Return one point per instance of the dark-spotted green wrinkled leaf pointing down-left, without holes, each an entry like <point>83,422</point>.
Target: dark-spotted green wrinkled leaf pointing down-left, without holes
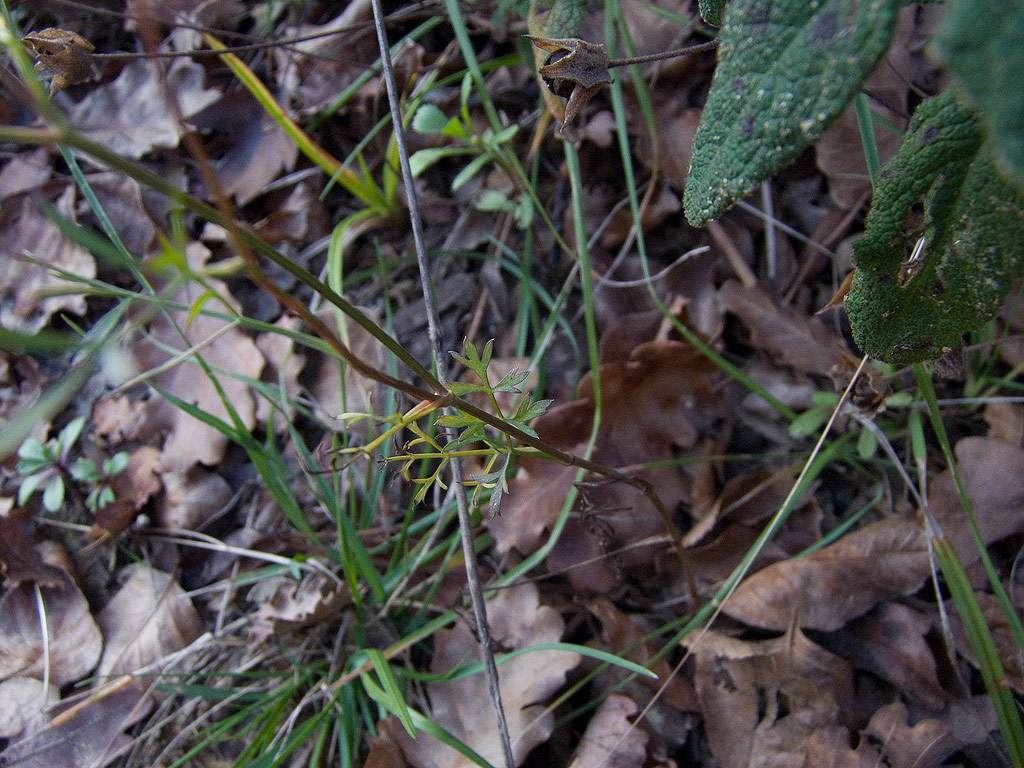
<point>786,71</point>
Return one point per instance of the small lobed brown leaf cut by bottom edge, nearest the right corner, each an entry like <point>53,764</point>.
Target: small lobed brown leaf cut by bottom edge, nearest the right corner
<point>925,745</point>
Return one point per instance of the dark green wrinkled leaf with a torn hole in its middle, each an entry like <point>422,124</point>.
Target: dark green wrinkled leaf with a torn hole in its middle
<point>905,310</point>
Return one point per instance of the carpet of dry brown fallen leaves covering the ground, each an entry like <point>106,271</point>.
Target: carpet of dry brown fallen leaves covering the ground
<point>833,658</point>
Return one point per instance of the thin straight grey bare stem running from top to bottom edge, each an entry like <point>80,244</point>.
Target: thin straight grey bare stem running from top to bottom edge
<point>434,325</point>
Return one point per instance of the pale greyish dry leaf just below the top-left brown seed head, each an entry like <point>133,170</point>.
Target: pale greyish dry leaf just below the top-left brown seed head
<point>131,115</point>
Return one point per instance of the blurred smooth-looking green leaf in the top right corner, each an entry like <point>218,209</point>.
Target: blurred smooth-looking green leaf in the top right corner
<point>980,44</point>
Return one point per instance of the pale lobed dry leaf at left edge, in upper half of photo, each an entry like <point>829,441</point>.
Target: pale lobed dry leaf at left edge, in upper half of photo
<point>23,309</point>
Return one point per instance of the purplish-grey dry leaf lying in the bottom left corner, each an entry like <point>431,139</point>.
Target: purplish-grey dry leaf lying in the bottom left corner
<point>93,738</point>
